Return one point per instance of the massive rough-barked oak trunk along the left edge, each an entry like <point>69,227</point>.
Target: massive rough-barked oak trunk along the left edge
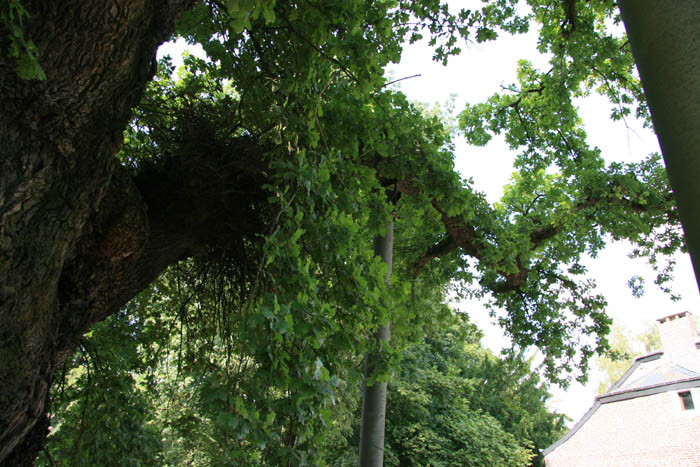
<point>74,229</point>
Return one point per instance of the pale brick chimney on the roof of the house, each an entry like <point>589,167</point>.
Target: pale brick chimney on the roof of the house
<point>678,339</point>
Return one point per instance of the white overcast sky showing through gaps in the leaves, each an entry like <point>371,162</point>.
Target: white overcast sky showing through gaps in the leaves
<point>473,76</point>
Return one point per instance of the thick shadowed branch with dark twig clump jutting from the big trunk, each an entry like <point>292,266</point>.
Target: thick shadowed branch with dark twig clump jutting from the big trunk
<point>183,207</point>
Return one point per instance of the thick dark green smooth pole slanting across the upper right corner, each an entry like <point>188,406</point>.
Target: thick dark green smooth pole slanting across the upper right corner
<point>665,40</point>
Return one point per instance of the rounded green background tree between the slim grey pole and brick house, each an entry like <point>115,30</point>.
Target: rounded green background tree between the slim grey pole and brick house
<point>454,403</point>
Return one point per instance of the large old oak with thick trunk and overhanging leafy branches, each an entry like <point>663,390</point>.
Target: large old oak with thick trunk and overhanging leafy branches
<point>261,173</point>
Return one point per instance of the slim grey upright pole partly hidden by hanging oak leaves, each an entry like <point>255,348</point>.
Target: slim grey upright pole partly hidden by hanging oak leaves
<point>374,396</point>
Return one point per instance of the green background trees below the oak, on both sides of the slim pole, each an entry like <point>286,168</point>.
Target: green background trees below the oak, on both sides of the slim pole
<point>140,391</point>
